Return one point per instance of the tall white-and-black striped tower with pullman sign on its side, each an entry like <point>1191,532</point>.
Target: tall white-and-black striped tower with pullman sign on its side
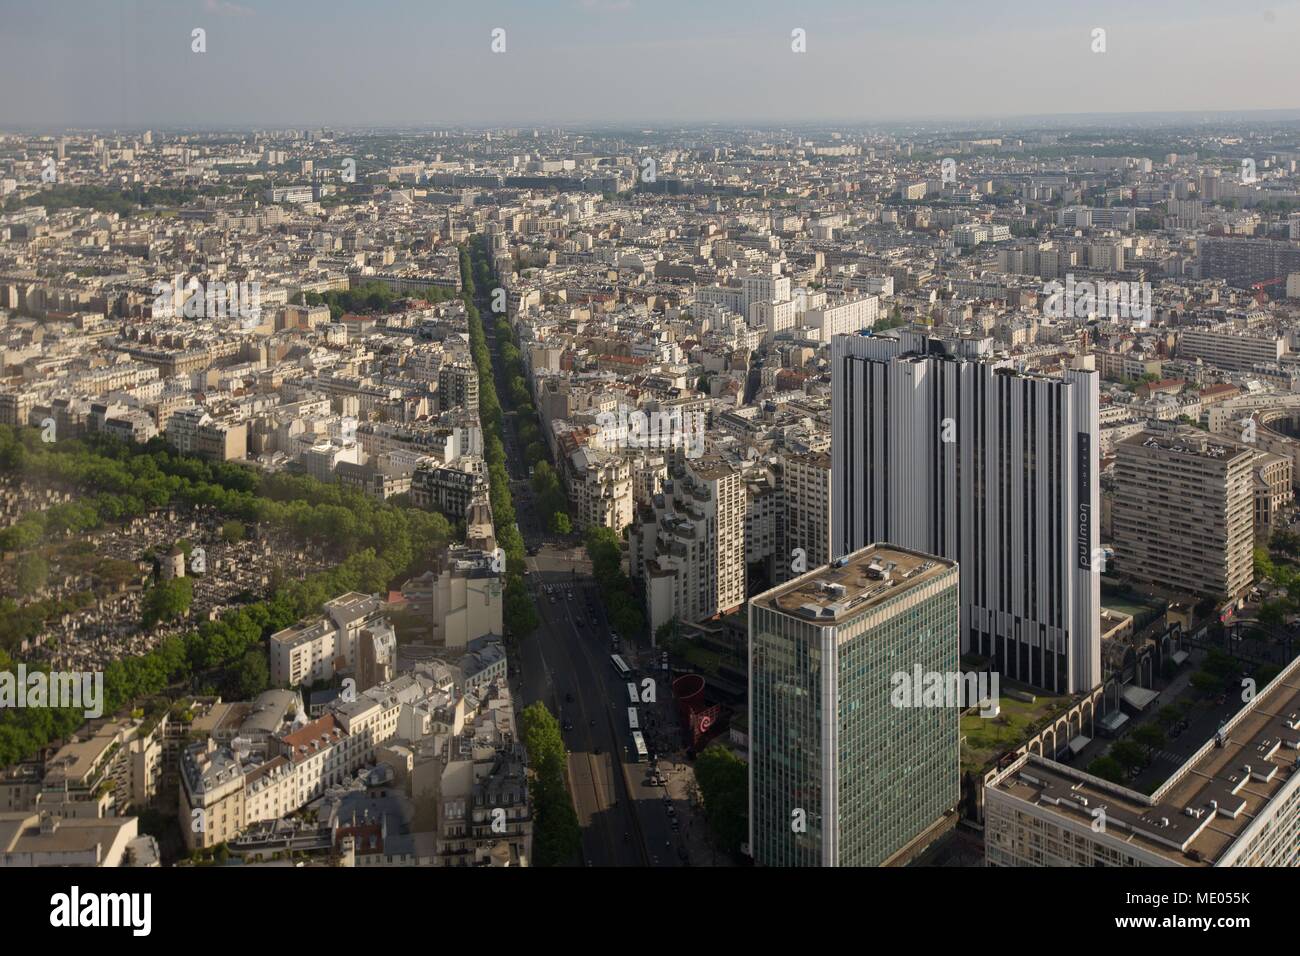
<point>961,456</point>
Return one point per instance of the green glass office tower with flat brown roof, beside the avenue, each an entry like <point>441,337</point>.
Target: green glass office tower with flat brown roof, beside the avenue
<point>842,775</point>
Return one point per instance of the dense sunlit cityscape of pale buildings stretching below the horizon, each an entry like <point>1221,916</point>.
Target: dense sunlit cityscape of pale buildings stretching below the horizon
<point>890,495</point>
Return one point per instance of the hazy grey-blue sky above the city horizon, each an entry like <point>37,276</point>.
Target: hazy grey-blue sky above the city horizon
<point>296,63</point>
